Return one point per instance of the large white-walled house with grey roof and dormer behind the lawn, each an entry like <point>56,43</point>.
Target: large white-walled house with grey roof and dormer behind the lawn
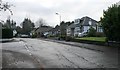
<point>82,26</point>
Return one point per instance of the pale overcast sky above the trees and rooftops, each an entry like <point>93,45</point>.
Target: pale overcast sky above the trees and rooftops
<point>46,9</point>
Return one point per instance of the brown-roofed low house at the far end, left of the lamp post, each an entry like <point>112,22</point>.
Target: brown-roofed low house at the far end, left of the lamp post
<point>40,31</point>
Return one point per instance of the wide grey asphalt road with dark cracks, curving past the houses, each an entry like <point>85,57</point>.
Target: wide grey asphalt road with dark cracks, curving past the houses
<point>37,53</point>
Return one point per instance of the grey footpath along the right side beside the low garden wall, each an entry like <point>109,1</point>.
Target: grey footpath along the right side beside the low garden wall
<point>87,46</point>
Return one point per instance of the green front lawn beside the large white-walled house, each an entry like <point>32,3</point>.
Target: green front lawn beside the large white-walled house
<point>101,39</point>
